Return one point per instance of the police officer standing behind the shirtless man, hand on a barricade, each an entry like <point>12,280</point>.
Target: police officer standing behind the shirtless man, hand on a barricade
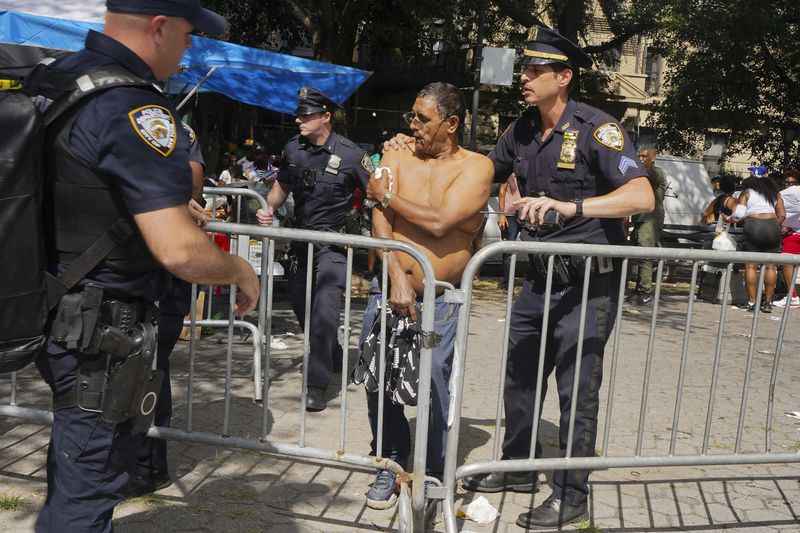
<point>321,169</point>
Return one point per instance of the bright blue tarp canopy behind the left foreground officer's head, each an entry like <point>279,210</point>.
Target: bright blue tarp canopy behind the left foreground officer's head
<point>249,75</point>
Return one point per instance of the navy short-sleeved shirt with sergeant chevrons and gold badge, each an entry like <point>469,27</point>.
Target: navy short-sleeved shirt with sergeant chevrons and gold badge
<point>587,154</point>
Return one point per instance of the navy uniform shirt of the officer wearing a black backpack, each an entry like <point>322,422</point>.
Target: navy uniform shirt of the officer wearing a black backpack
<point>115,134</point>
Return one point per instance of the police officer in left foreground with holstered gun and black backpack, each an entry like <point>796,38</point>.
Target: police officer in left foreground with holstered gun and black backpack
<point>121,156</point>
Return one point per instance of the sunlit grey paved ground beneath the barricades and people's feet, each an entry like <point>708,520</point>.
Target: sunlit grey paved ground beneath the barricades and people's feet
<point>241,491</point>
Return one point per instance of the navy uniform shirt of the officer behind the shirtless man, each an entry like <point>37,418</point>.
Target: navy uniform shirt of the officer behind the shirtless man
<point>338,167</point>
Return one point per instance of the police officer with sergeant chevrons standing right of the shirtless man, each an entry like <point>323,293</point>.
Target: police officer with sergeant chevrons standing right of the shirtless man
<point>576,160</point>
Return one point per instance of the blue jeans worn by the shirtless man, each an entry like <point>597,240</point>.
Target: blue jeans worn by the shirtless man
<point>396,432</point>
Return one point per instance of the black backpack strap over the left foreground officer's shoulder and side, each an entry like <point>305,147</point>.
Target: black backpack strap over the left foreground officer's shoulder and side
<point>83,86</point>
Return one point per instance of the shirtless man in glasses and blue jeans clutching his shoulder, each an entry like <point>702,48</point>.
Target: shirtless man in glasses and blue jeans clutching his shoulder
<point>438,191</point>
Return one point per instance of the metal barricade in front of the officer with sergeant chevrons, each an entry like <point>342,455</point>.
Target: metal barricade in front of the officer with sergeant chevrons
<point>633,457</point>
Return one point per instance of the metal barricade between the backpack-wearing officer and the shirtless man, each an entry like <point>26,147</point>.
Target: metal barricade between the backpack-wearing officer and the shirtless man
<point>411,506</point>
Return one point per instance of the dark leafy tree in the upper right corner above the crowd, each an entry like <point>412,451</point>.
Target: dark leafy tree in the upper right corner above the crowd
<point>734,71</point>
